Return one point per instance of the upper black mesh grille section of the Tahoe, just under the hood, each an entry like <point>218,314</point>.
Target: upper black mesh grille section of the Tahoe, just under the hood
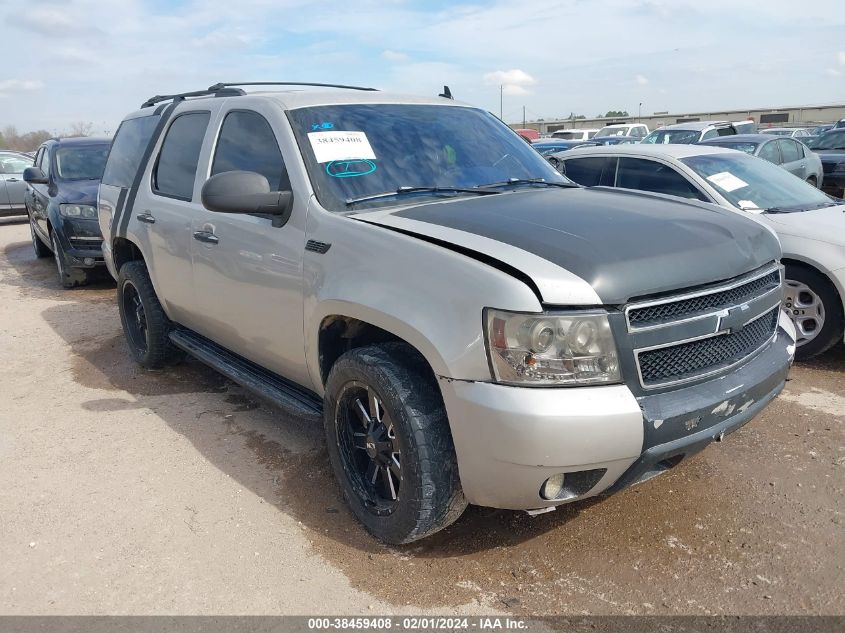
<point>651,315</point>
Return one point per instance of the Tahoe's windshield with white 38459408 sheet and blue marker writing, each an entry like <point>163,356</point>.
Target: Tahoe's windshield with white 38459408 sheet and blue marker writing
<point>360,150</point>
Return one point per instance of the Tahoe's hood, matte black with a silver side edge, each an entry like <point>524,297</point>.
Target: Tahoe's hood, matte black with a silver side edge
<point>622,245</point>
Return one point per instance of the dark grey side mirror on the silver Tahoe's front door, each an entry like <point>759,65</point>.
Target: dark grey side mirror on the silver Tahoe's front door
<point>246,192</point>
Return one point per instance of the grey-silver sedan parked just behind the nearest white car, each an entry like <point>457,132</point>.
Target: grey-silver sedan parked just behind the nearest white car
<point>793,156</point>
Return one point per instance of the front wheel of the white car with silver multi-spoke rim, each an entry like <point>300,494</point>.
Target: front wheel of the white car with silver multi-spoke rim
<point>816,310</point>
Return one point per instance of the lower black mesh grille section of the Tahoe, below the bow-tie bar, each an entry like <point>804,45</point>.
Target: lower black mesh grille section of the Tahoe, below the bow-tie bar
<point>678,362</point>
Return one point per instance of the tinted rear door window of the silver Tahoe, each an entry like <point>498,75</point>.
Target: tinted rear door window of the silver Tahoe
<point>177,162</point>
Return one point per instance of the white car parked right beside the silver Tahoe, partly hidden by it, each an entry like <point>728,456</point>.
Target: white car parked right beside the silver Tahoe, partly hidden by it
<point>809,223</point>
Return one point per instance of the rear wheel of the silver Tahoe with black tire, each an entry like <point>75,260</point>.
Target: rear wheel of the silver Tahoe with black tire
<point>145,325</point>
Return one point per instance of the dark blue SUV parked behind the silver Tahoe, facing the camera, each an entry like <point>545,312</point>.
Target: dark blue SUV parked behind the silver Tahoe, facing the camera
<point>61,200</point>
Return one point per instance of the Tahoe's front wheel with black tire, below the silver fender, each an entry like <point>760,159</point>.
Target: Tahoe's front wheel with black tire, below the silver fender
<point>390,445</point>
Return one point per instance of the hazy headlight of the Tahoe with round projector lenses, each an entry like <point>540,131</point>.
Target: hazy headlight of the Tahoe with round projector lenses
<point>553,348</point>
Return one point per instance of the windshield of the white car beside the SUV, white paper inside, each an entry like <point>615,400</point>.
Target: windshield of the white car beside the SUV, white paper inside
<point>752,183</point>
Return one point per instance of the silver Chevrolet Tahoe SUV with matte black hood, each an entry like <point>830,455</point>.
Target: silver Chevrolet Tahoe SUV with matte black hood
<point>469,326</point>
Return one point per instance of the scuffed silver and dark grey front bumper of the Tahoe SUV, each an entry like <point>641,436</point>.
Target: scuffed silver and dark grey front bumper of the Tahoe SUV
<point>509,440</point>
